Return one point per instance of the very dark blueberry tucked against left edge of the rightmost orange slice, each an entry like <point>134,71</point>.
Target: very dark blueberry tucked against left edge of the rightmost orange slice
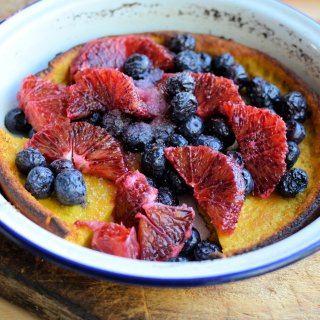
<point>219,127</point>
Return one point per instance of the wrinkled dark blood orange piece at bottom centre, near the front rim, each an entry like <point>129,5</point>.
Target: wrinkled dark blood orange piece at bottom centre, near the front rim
<point>163,230</point>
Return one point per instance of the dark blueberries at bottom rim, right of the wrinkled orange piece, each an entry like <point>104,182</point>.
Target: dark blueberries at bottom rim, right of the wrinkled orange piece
<point>196,249</point>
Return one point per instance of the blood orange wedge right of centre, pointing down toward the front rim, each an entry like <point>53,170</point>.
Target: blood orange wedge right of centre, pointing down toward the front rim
<point>217,181</point>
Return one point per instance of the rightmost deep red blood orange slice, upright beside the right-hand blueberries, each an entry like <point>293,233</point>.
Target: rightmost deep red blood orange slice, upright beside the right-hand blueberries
<point>261,135</point>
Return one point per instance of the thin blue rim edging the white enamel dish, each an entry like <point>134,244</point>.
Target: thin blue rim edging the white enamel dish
<point>176,283</point>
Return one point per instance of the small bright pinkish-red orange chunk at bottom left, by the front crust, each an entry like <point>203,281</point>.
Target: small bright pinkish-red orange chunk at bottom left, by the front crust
<point>113,238</point>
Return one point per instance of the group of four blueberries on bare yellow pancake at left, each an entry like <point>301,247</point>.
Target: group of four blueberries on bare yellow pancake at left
<point>60,177</point>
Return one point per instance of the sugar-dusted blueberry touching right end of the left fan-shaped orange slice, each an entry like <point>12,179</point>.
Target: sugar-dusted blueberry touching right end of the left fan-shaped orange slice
<point>137,136</point>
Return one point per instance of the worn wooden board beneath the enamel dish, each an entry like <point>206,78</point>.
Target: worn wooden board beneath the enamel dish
<point>51,292</point>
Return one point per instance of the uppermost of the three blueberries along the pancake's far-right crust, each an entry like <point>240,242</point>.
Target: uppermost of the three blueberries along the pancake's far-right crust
<point>293,106</point>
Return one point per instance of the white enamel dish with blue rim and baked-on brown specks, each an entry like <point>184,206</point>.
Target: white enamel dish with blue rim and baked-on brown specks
<point>32,37</point>
